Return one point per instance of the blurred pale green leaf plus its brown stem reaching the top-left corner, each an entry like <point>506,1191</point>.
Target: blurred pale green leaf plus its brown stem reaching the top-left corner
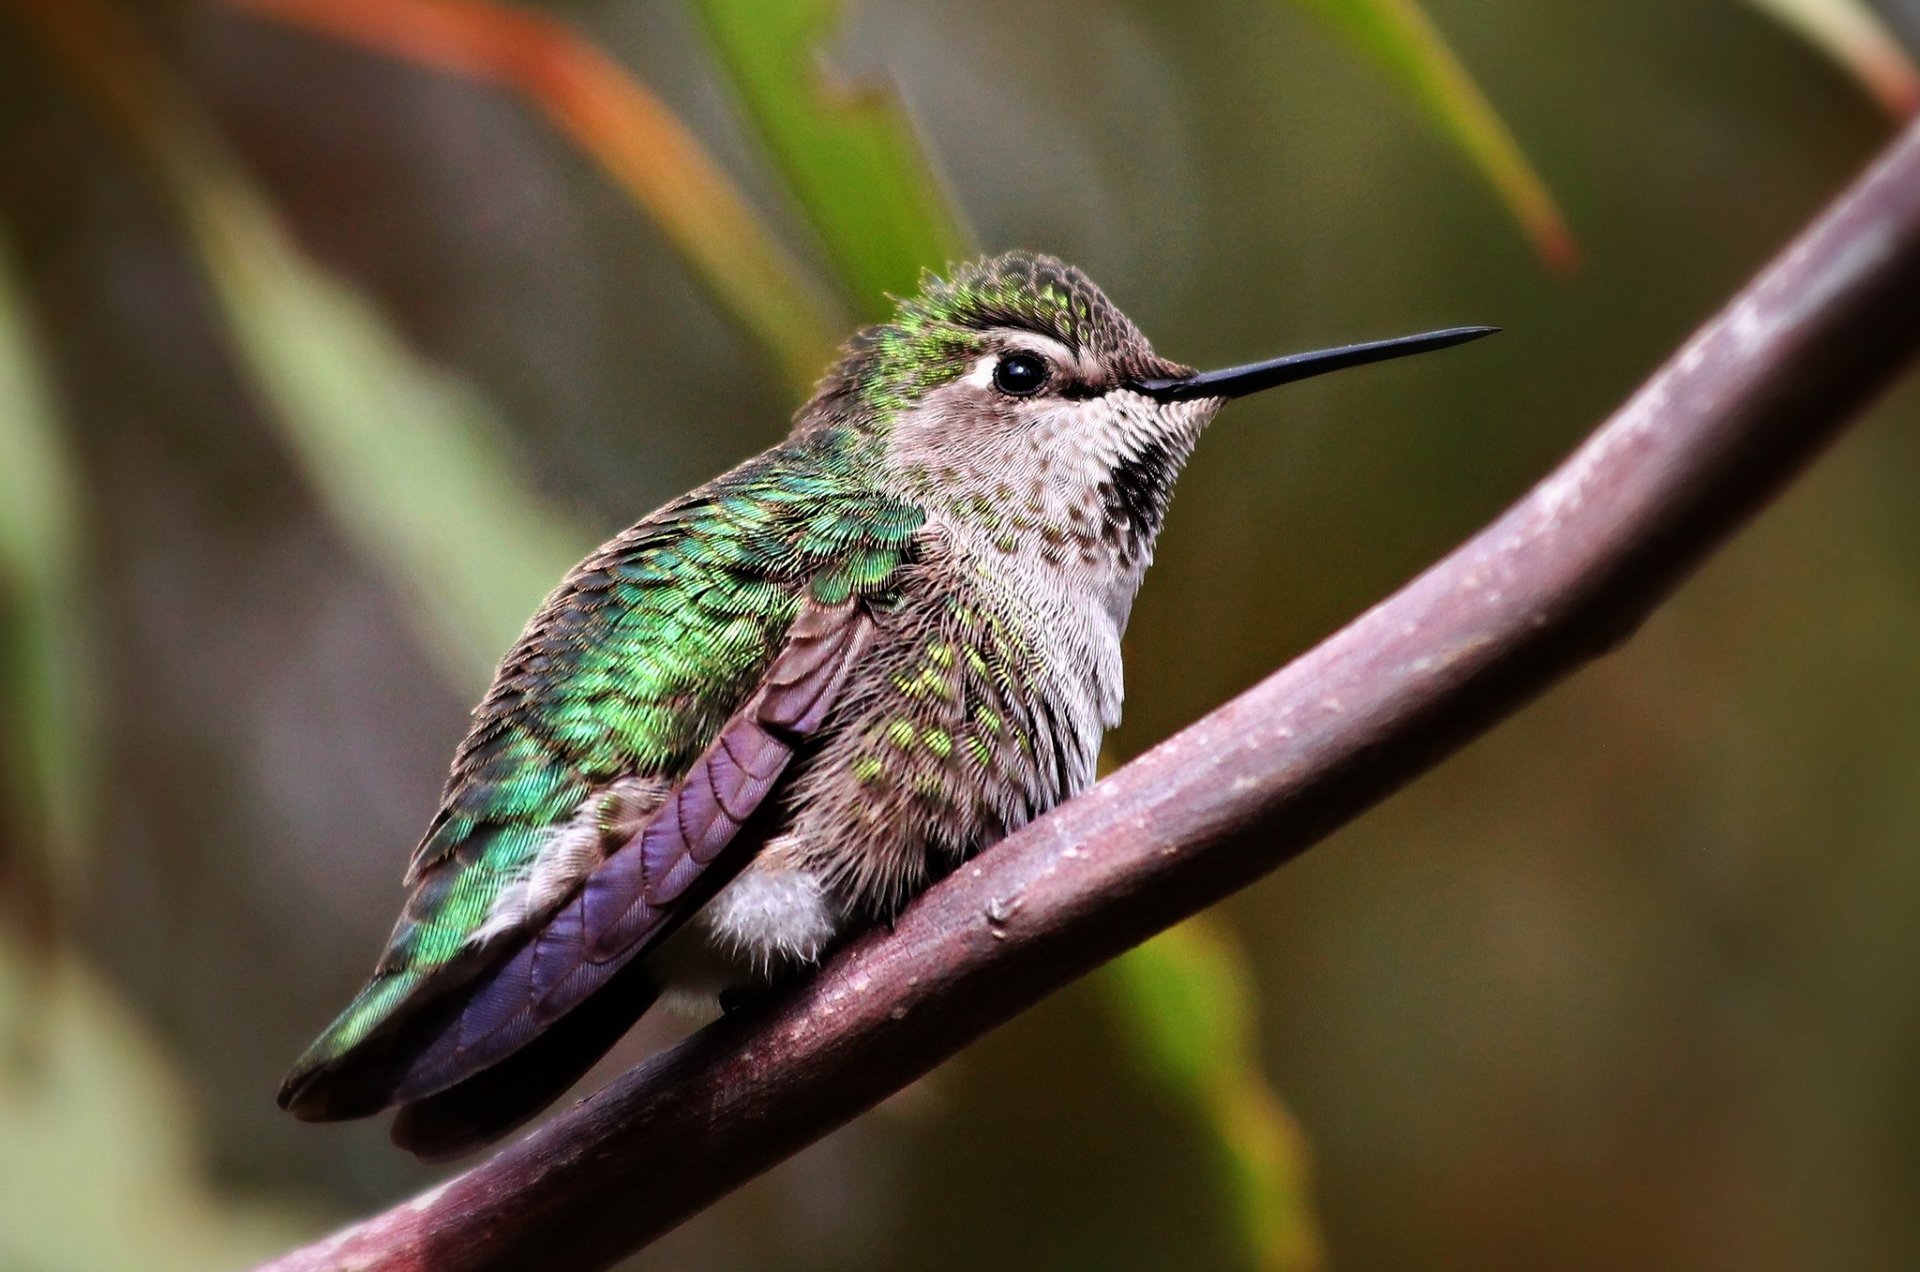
<point>410,460</point>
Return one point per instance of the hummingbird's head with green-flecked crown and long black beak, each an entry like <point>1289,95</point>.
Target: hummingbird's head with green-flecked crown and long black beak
<point>1022,403</point>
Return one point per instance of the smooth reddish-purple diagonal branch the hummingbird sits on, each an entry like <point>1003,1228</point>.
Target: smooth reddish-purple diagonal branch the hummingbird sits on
<point>1560,579</point>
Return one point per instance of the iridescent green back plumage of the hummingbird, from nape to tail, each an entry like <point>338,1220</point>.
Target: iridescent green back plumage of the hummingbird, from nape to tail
<point>631,670</point>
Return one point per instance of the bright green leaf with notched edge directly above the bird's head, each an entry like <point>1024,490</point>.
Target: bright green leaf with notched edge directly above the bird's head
<point>850,155</point>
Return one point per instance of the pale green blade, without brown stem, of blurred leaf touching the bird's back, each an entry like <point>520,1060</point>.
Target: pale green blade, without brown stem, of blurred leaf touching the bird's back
<point>412,460</point>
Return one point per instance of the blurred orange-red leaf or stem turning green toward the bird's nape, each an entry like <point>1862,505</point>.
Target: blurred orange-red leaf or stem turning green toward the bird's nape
<point>627,130</point>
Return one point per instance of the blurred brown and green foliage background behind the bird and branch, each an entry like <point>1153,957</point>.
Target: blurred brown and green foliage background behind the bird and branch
<point>333,331</point>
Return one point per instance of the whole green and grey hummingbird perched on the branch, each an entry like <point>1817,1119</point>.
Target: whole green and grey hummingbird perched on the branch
<point>784,704</point>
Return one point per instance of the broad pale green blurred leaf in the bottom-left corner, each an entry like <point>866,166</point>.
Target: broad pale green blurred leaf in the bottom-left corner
<point>99,1158</point>
